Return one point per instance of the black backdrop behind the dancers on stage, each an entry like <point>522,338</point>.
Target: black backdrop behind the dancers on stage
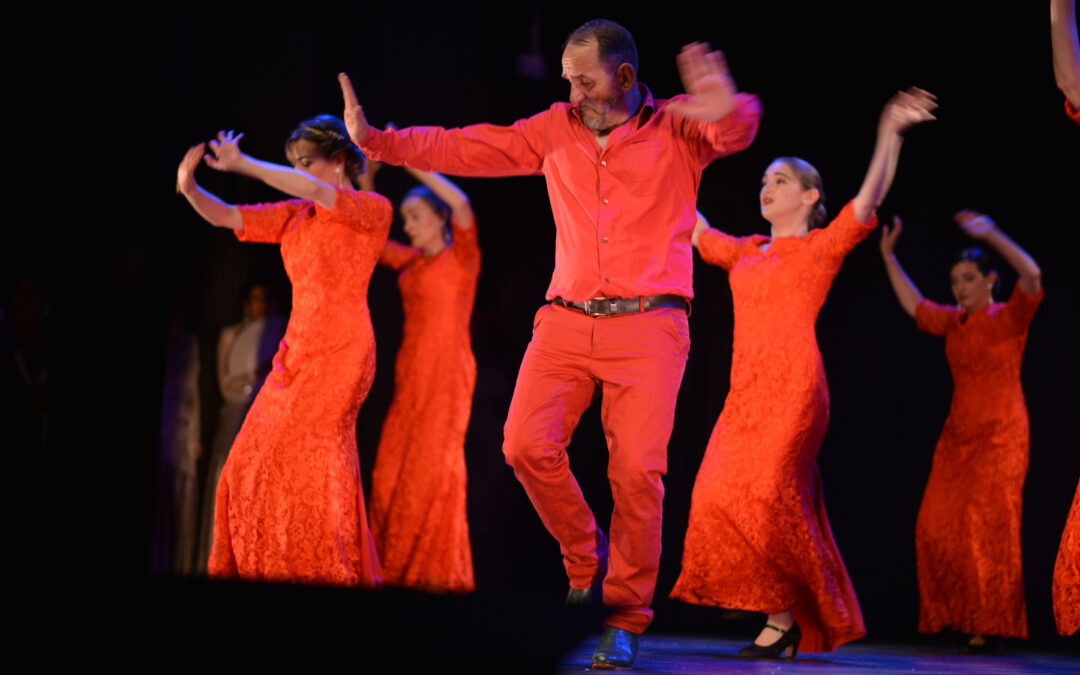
<point>150,83</point>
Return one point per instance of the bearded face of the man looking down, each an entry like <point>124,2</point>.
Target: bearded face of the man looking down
<point>596,90</point>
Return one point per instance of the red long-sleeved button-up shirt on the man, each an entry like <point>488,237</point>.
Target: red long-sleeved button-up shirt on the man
<point>624,213</point>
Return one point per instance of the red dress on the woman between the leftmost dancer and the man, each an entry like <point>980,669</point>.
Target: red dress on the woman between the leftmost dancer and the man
<point>418,489</point>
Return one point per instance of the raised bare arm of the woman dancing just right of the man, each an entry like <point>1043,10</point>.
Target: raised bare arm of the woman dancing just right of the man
<point>903,111</point>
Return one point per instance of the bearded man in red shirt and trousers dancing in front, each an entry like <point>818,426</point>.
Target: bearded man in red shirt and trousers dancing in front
<point>623,173</point>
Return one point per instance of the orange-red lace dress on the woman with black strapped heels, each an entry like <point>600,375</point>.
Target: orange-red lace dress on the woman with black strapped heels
<point>759,538</point>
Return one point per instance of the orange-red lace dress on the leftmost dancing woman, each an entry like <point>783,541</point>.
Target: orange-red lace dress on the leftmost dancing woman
<point>290,505</point>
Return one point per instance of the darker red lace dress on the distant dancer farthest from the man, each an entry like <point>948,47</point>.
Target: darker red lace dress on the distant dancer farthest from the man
<point>967,536</point>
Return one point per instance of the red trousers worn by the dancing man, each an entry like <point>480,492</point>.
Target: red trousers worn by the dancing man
<point>638,361</point>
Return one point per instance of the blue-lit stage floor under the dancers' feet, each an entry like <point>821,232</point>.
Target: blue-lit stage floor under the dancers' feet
<point>692,656</point>
